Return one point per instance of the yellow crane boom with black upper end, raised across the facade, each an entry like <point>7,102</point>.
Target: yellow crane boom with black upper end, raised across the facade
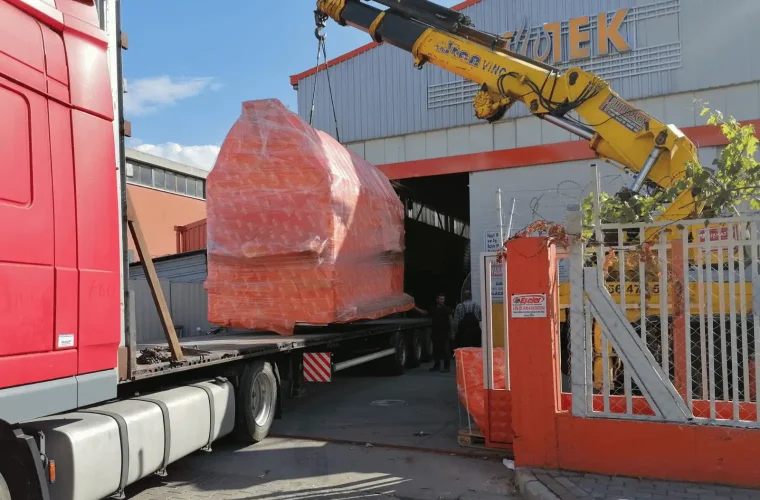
<point>616,130</point>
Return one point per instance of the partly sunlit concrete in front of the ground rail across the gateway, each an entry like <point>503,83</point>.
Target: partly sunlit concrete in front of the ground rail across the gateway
<point>292,469</point>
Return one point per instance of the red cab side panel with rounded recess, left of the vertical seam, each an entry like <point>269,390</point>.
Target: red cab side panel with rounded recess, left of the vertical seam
<point>27,231</point>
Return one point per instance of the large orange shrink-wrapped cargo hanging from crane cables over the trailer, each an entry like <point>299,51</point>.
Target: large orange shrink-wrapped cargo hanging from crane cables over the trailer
<point>300,229</point>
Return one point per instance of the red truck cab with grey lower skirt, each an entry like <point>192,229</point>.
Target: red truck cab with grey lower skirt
<point>60,289</point>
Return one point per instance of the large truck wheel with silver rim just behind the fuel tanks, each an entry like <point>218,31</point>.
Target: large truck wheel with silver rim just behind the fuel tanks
<point>256,401</point>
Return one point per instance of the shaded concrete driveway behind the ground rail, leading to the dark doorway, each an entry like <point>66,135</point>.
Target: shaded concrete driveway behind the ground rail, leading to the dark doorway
<point>419,409</point>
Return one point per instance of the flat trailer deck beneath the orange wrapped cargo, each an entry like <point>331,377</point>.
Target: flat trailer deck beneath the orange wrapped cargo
<point>154,359</point>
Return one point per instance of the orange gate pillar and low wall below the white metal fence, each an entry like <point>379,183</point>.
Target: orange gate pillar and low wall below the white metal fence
<point>547,434</point>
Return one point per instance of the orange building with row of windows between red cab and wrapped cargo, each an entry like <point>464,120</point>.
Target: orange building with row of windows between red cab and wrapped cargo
<point>166,194</point>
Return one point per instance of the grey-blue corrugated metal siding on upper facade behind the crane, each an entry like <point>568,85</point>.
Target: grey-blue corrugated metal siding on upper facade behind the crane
<point>380,94</point>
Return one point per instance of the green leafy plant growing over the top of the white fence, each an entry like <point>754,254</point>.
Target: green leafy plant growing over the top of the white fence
<point>734,179</point>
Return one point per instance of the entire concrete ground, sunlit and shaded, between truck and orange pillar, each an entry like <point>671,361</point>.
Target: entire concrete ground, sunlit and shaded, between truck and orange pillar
<point>416,410</point>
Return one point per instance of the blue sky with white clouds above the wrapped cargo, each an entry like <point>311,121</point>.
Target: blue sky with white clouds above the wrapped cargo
<point>191,63</point>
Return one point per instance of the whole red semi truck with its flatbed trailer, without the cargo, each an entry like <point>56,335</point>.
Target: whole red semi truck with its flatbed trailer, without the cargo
<point>86,410</point>
